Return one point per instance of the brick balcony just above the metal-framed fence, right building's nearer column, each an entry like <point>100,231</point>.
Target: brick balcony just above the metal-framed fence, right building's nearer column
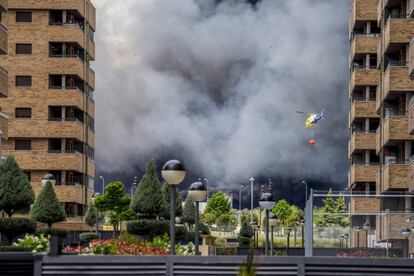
<point>395,177</point>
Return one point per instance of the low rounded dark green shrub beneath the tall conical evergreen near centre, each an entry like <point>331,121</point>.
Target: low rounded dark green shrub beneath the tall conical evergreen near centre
<point>148,228</point>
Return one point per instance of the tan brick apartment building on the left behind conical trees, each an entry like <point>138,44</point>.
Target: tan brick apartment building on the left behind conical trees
<point>50,103</point>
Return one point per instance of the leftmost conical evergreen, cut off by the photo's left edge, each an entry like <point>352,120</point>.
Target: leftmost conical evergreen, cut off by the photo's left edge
<point>16,193</point>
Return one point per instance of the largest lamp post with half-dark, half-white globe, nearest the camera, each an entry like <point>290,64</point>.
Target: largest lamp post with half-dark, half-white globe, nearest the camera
<point>173,172</point>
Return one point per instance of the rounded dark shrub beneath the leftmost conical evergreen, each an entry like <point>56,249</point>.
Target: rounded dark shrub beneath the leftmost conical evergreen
<point>13,227</point>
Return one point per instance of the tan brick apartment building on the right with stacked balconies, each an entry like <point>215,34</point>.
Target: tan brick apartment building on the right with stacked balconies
<point>381,125</point>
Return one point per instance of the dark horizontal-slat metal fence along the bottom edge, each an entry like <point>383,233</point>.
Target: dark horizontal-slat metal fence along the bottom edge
<point>197,265</point>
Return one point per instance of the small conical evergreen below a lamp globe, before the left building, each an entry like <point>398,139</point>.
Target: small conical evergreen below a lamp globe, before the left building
<point>47,208</point>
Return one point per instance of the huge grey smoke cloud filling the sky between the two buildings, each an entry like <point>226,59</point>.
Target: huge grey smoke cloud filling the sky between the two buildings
<point>218,85</point>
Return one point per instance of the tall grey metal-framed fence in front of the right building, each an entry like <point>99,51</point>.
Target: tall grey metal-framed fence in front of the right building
<point>370,225</point>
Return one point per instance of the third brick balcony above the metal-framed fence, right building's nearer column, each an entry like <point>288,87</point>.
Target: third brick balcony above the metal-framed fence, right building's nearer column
<point>396,79</point>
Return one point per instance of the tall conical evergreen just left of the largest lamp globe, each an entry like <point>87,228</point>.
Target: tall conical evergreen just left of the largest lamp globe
<point>147,199</point>
